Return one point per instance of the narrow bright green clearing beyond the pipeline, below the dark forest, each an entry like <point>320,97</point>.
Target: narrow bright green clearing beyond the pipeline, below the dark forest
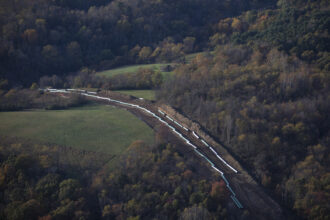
<point>132,69</point>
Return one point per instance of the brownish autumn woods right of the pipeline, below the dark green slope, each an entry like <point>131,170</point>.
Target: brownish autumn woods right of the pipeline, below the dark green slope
<point>271,110</point>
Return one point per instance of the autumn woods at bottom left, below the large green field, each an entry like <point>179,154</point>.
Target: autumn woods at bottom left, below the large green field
<point>41,181</point>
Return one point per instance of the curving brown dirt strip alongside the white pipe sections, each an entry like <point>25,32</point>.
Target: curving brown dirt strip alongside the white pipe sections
<point>248,192</point>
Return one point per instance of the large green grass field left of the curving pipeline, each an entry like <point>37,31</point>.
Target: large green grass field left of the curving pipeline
<point>96,128</point>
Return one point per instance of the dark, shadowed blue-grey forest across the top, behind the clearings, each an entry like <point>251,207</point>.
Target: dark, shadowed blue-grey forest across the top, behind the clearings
<point>44,37</point>
